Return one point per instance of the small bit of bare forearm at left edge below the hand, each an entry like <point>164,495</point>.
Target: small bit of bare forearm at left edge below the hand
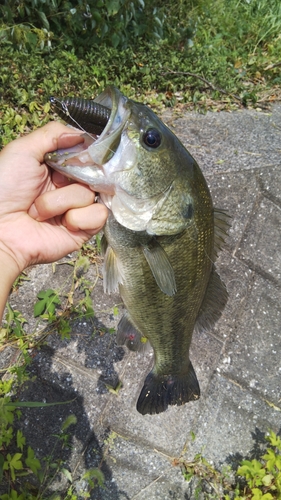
<point>8,273</point>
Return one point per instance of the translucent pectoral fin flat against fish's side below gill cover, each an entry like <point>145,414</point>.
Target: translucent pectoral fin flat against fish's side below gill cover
<point>160,267</point>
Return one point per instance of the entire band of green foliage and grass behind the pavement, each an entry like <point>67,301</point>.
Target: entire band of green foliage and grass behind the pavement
<point>201,53</point>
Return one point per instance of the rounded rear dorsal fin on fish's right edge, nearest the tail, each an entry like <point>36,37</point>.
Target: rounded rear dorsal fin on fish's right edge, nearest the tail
<point>213,303</point>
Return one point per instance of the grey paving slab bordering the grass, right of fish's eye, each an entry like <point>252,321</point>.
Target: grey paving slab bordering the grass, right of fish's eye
<point>230,141</point>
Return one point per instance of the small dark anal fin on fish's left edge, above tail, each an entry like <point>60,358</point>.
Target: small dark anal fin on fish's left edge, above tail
<point>128,335</point>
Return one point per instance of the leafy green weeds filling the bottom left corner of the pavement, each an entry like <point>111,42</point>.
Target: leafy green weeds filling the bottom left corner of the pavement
<point>23,463</point>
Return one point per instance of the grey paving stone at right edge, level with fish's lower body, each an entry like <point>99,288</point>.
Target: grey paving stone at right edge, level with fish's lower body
<point>253,353</point>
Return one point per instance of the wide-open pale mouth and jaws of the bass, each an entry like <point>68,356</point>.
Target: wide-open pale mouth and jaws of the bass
<point>85,161</point>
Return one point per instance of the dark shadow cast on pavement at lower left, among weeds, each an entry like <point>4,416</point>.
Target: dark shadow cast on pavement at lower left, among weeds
<point>84,449</point>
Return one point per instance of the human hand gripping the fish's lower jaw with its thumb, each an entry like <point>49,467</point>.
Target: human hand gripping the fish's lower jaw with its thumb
<point>43,215</point>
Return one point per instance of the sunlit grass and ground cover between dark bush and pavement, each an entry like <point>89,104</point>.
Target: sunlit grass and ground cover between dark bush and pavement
<point>215,55</point>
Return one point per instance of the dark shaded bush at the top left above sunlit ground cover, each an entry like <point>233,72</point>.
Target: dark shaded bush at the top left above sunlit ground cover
<point>68,23</point>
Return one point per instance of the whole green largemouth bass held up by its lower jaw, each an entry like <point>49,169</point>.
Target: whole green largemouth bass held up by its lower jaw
<point>160,241</point>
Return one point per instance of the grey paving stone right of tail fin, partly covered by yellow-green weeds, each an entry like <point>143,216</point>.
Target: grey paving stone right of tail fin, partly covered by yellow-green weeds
<point>232,424</point>
